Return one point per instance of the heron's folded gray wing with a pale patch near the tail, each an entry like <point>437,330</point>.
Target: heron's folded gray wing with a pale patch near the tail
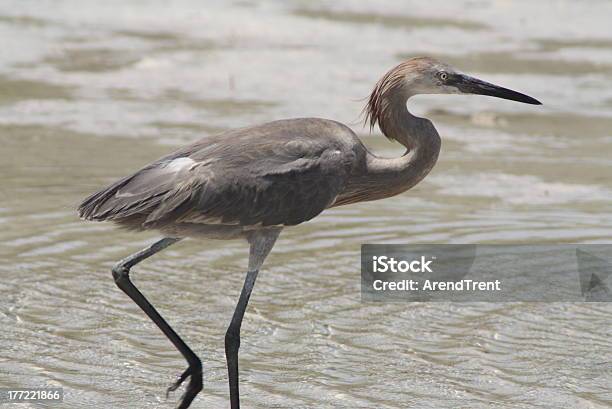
<point>265,182</point>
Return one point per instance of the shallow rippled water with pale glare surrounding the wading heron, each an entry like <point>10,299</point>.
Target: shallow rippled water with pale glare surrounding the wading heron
<point>90,92</point>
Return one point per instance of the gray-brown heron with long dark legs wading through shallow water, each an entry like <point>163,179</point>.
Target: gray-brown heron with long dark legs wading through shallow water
<point>250,183</point>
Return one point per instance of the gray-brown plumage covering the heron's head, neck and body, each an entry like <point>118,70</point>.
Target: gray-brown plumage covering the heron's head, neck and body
<point>281,173</point>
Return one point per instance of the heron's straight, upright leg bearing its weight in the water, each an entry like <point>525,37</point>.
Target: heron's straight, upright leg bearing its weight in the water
<point>261,243</point>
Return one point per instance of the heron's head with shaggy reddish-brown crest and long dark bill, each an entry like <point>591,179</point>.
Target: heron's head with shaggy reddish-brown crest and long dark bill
<point>424,75</point>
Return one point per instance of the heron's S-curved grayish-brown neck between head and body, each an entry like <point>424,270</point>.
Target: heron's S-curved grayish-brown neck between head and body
<point>391,176</point>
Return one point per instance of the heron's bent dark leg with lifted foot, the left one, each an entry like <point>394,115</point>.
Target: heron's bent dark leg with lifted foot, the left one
<point>121,275</point>
